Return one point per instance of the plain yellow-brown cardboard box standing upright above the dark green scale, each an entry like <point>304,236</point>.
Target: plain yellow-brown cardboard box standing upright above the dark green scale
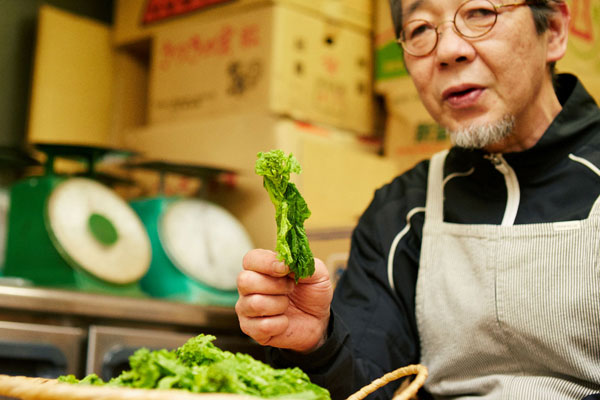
<point>71,95</point>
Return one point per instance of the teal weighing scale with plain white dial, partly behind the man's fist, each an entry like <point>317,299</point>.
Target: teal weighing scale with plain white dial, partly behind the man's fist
<point>197,246</point>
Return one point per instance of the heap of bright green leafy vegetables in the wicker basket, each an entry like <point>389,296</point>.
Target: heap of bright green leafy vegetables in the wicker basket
<point>200,367</point>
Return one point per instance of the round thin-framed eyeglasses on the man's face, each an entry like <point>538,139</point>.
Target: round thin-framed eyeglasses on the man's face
<point>473,19</point>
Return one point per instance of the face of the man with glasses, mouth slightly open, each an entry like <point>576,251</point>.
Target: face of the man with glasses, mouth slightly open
<point>475,82</point>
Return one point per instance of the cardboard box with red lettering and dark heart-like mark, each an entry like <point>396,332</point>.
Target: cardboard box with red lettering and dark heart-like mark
<point>272,58</point>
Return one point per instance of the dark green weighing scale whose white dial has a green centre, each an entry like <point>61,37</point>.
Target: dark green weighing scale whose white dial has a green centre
<point>73,232</point>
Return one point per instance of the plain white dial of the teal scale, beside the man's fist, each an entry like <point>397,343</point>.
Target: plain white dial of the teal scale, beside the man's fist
<point>204,241</point>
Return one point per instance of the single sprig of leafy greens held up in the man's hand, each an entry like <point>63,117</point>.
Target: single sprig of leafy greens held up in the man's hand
<point>290,211</point>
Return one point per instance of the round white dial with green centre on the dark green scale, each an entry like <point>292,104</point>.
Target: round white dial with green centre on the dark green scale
<point>96,230</point>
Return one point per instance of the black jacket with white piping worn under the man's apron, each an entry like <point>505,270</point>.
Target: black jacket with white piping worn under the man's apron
<point>373,327</point>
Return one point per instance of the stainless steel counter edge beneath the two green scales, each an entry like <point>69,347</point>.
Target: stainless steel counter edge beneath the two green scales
<point>72,303</point>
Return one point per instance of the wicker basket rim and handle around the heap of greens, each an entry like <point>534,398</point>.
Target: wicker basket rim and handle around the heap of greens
<point>25,388</point>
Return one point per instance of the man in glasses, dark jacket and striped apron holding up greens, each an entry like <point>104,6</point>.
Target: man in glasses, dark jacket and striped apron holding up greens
<point>483,264</point>
